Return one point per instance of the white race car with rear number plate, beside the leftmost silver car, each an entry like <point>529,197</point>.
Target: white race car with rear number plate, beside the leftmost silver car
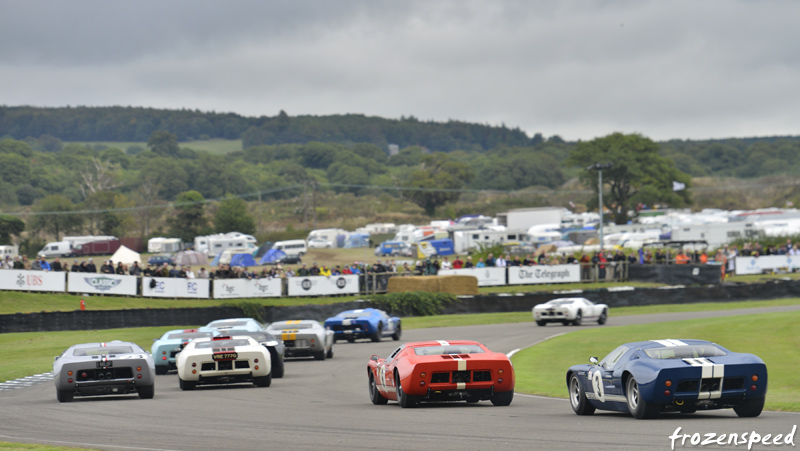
<point>224,360</point>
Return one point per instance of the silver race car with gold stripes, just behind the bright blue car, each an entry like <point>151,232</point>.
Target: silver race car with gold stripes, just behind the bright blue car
<point>304,338</point>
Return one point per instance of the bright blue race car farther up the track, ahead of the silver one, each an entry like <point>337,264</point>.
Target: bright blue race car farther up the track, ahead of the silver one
<point>364,323</point>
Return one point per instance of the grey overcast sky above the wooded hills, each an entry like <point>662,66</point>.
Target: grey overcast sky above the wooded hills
<point>578,69</point>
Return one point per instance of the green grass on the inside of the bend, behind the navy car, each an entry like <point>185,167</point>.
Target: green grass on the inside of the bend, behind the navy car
<point>541,369</point>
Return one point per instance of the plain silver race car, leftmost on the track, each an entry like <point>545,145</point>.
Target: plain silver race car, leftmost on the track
<point>113,368</point>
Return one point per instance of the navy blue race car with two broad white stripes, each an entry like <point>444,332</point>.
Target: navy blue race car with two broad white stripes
<point>649,377</point>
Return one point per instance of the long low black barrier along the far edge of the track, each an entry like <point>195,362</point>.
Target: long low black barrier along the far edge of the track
<point>617,297</point>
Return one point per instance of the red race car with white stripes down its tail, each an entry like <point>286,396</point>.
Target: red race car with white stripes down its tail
<point>434,371</point>
